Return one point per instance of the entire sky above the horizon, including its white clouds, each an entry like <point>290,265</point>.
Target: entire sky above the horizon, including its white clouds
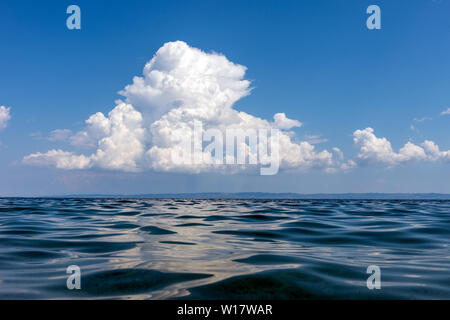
<point>94,110</point>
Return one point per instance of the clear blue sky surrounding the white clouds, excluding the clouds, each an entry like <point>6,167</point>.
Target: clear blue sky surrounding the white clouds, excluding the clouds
<point>315,61</point>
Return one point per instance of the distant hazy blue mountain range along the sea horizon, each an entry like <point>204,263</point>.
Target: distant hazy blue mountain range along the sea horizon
<point>263,195</point>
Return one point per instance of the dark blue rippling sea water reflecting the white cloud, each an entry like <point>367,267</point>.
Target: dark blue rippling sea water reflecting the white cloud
<point>224,249</point>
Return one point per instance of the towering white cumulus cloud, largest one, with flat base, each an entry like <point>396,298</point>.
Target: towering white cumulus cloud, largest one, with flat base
<point>180,85</point>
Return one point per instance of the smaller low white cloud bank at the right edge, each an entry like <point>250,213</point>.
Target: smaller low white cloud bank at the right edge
<point>379,150</point>
